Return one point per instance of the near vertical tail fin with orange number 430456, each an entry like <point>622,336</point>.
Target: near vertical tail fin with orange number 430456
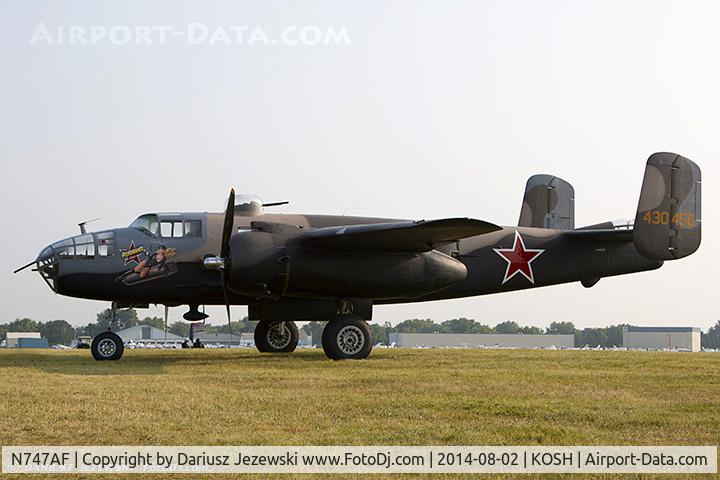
<point>667,224</point>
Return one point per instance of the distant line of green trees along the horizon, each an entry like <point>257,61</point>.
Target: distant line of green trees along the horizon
<point>61,332</point>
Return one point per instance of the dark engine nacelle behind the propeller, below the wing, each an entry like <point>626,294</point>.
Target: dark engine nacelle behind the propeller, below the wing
<point>267,262</point>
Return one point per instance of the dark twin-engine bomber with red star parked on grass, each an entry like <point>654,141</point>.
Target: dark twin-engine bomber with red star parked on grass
<point>290,268</point>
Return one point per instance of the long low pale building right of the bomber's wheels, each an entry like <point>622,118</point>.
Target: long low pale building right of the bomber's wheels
<point>480,340</point>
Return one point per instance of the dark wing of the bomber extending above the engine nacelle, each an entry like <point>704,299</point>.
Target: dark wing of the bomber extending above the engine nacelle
<point>408,236</point>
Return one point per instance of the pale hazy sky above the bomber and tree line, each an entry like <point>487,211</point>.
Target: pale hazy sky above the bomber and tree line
<point>430,110</point>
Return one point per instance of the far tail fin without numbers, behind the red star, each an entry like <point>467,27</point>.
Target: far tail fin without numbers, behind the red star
<point>549,202</point>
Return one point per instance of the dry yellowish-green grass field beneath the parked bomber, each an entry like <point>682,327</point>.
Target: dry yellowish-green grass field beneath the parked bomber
<point>396,397</point>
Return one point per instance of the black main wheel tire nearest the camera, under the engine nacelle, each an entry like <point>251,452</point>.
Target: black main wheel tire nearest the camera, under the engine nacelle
<point>347,337</point>
